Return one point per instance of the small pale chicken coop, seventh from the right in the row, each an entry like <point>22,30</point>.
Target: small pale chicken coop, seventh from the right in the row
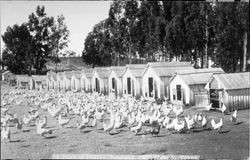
<point>86,78</point>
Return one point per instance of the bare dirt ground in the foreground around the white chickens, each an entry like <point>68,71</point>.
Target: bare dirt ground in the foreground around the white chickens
<point>231,143</point>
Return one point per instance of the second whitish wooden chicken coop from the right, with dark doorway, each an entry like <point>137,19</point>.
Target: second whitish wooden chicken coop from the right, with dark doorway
<point>187,87</point>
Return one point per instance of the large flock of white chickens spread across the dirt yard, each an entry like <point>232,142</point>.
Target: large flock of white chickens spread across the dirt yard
<point>111,112</point>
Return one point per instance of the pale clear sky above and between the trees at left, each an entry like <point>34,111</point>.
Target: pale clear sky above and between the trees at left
<point>80,16</point>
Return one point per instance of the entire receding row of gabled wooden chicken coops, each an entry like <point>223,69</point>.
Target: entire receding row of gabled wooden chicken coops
<point>178,82</point>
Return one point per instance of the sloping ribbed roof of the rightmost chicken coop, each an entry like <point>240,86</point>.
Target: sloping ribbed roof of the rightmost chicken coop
<point>234,80</point>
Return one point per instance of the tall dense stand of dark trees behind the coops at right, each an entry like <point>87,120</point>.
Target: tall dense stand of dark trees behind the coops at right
<point>139,32</point>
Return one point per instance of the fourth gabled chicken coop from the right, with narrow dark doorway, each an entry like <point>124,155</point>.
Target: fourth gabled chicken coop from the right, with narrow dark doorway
<point>132,79</point>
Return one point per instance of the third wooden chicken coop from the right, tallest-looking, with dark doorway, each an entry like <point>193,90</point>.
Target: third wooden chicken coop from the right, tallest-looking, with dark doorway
<point>157,75</point>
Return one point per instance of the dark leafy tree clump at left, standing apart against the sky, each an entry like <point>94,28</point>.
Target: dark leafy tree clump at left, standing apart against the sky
<point>34,43</point>
